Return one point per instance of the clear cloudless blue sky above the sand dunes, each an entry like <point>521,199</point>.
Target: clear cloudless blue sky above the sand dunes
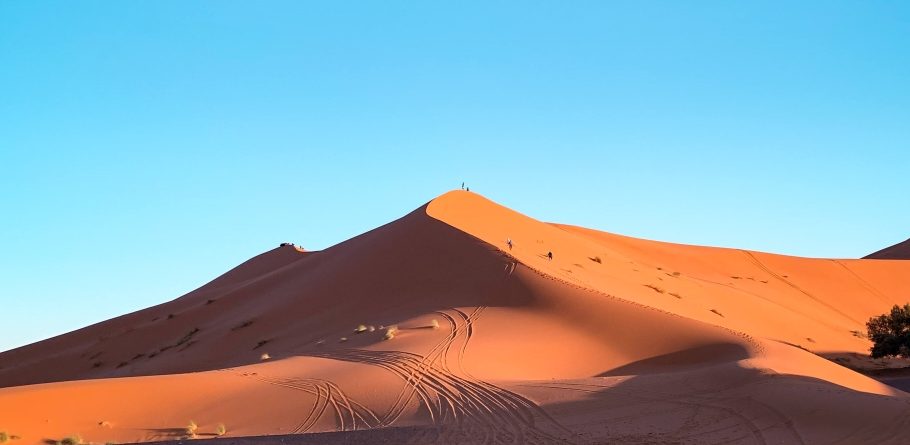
<point>148,146</point>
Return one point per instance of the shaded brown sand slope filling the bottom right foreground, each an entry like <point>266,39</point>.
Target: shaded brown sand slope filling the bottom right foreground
<point>723,403</point>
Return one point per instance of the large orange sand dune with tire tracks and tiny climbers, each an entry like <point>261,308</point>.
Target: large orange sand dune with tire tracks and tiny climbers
<point>615,339</point>
